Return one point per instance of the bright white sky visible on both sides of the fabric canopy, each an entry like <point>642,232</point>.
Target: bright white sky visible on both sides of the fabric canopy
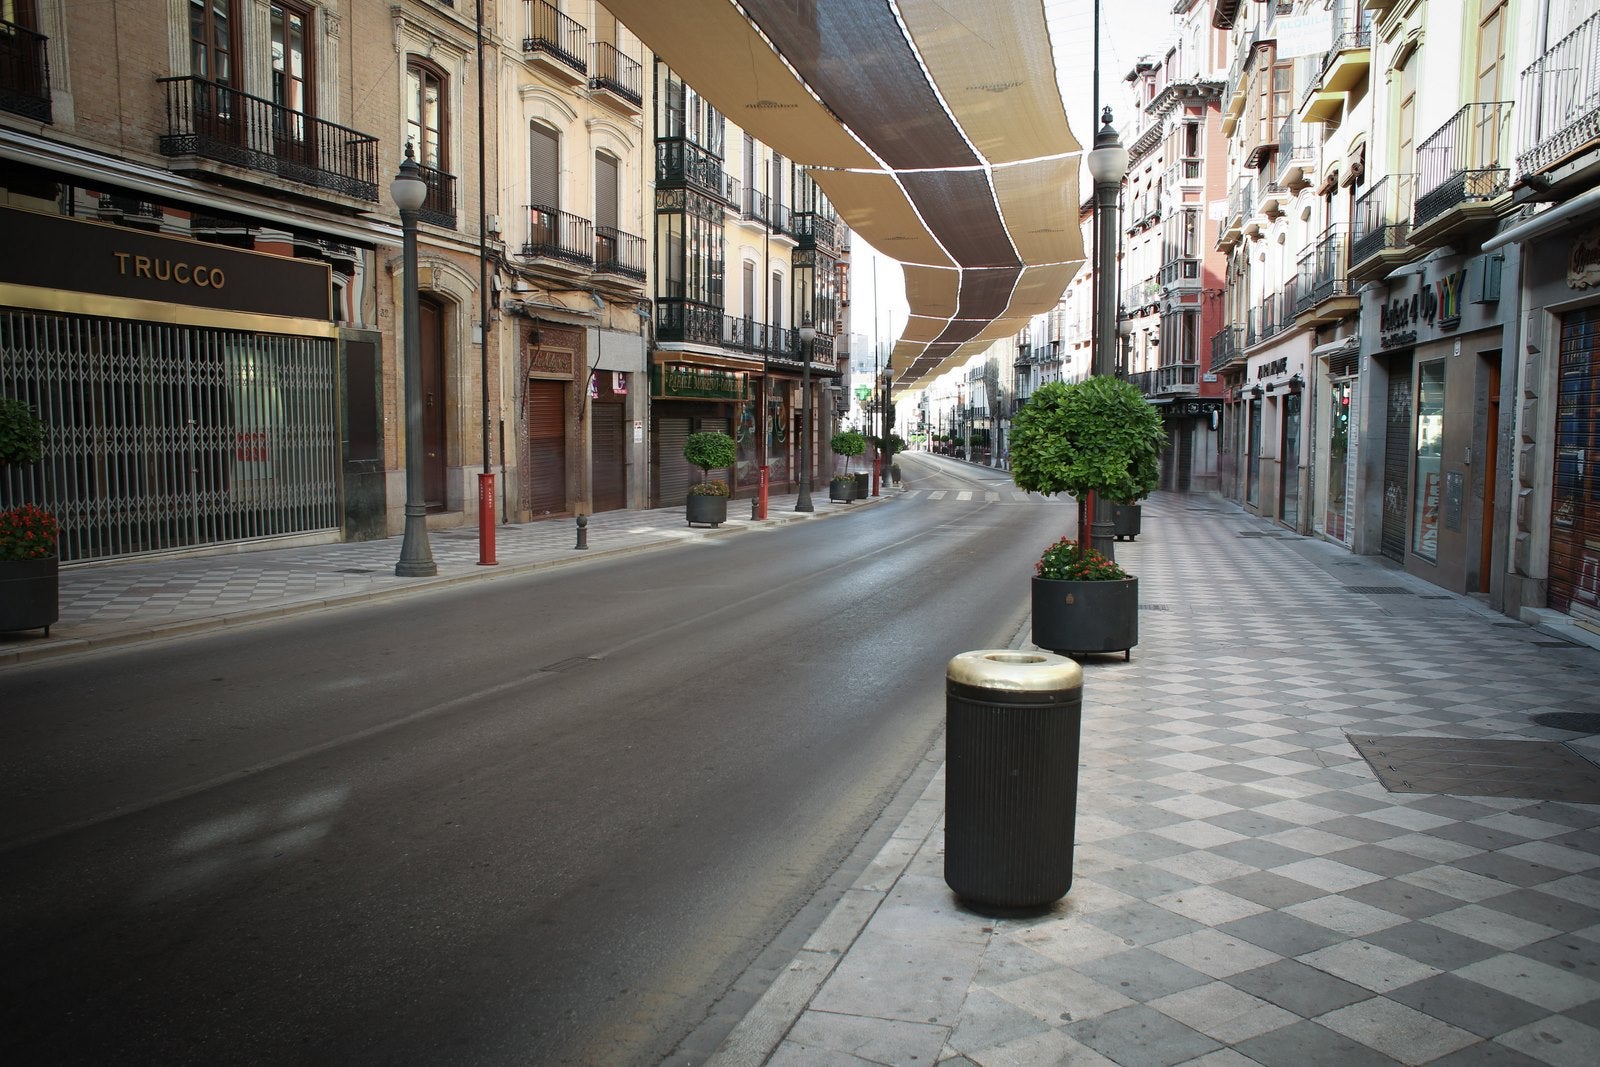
<point>1129,30</point>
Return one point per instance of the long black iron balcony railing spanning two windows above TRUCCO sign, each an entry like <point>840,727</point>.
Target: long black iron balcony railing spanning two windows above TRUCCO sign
<point>222,124</point>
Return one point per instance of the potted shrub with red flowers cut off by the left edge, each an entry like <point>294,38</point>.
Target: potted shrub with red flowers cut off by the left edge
<point>30,559</point>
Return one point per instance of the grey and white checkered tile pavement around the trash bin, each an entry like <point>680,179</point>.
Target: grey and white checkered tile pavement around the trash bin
<point>1246,890</point>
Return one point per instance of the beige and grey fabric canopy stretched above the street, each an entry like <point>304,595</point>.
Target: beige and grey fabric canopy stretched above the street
<point>935,127</point>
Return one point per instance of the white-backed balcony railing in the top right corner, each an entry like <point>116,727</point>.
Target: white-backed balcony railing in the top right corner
<point>1561,100</point>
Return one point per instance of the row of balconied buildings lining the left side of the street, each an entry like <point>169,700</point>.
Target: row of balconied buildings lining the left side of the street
<point>204,278</point>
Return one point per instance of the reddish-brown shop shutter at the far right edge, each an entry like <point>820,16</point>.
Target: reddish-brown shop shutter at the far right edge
<point>1575,506</point>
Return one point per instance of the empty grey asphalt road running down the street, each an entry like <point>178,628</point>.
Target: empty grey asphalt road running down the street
<point>538,820</point>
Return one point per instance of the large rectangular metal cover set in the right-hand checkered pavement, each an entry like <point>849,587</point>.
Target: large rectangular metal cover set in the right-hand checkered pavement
<point>1462,767</point>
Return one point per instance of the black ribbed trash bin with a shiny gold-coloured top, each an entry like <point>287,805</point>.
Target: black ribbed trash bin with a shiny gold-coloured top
<point>1012,777</point>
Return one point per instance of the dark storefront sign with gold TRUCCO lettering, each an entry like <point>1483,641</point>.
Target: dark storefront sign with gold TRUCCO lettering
<point>60,254</point>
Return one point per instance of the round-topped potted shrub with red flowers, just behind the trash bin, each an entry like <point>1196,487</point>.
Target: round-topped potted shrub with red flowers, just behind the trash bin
<point>1103,438</point>
